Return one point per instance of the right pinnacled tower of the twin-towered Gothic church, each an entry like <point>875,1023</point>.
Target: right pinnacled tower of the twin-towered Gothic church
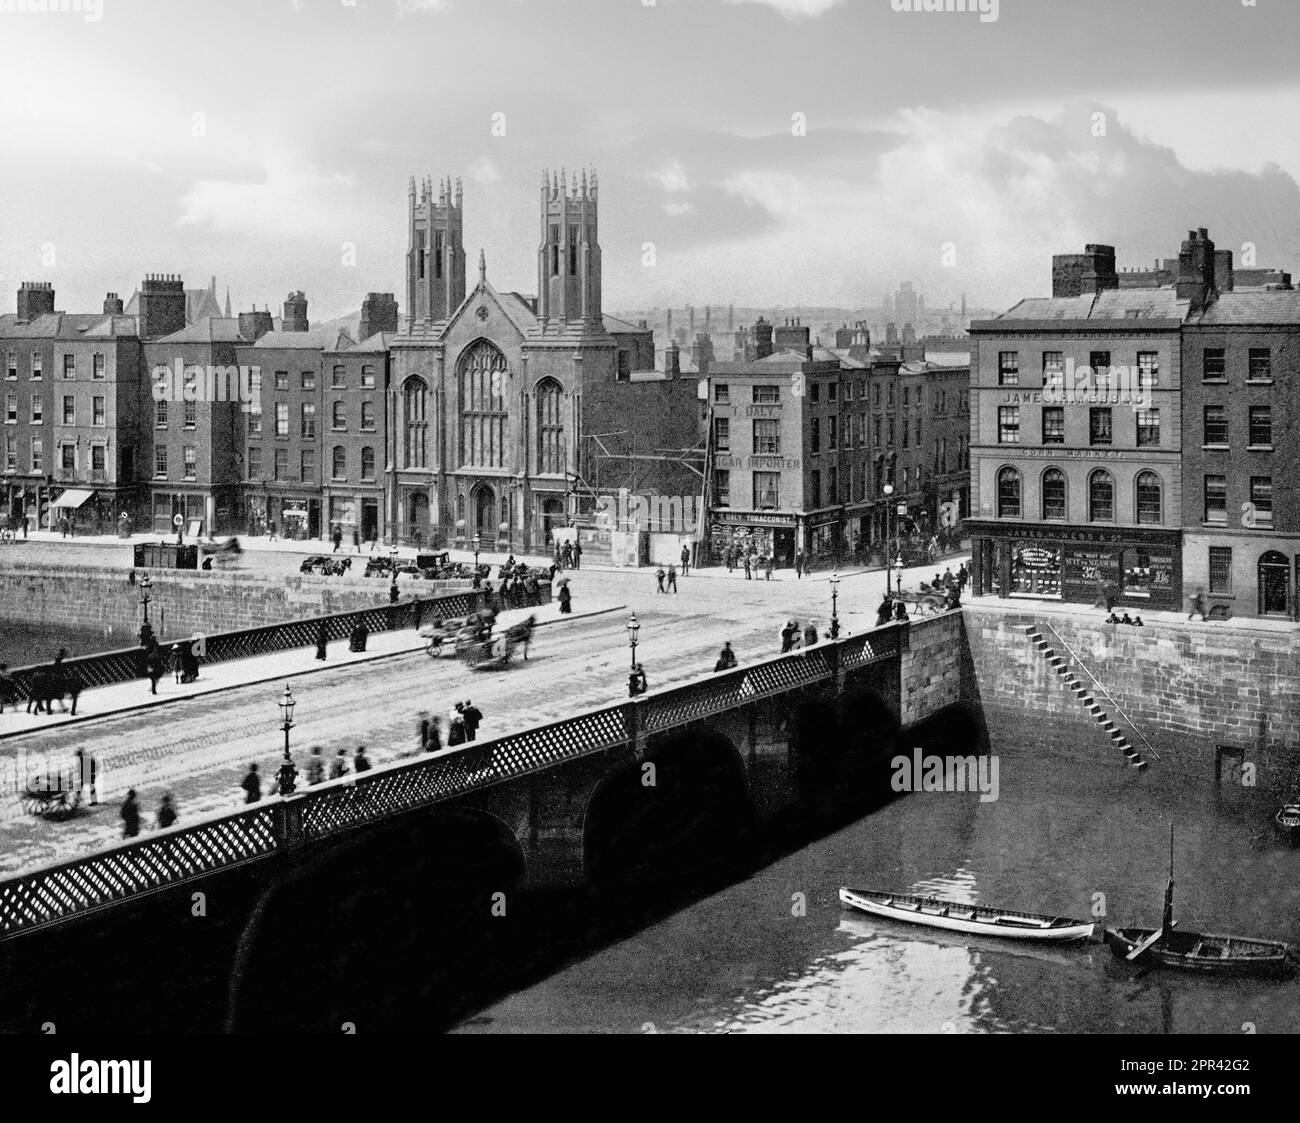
<point>569,262</point>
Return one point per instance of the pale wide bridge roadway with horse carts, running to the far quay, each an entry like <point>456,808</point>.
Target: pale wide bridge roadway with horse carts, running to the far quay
<point>200,749</point>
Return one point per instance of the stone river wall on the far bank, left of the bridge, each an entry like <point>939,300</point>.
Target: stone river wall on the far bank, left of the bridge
<point>187,601</point>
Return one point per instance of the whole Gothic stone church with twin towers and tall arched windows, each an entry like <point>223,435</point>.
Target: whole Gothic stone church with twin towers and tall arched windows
<point>487,388</point>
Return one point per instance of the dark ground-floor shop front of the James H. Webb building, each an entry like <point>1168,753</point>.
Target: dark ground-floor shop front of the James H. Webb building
<point>1080,565</point>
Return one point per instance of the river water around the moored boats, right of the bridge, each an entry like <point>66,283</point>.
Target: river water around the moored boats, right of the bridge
<point>775,953</point>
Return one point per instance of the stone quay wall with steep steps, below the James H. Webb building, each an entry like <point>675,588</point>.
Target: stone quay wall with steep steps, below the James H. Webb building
<point>1188,687</point>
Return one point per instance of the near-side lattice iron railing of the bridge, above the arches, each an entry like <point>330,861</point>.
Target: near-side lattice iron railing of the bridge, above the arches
<point>84,886</point>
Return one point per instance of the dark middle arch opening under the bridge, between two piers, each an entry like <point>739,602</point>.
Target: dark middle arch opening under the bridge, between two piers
<point>655,821</point>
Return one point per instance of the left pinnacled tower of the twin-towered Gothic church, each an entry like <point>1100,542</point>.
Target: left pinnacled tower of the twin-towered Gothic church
<point>436,261</point>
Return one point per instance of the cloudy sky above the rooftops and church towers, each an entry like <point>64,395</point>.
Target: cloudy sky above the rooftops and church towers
<point>257,140</point>
